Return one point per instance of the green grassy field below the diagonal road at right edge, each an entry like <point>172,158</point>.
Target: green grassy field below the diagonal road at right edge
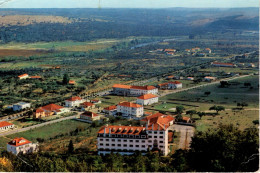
<point>228,97</point>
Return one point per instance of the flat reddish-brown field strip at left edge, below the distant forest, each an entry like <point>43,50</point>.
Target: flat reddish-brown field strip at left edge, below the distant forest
<point>20,52</point>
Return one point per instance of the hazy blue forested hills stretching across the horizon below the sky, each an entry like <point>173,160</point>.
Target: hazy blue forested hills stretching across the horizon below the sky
<point>89,24</point>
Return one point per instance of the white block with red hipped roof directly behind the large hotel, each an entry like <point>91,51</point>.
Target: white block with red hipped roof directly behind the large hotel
<point>129,109</point>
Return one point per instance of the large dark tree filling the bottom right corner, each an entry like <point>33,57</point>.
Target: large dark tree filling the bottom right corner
<point>225,149</point>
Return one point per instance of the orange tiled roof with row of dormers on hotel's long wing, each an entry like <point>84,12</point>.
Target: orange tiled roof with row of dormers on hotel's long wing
<point>129,130</point>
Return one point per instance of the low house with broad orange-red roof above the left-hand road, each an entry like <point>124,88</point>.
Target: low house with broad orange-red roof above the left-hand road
<point>49,110</point>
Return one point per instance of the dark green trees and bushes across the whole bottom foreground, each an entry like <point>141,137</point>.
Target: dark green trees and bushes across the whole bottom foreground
<point>210,151</point>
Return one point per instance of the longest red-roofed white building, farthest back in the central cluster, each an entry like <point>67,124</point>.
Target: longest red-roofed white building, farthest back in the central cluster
<point>128,90</point>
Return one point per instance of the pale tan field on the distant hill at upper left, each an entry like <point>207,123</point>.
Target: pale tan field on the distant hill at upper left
<point>23,20</point>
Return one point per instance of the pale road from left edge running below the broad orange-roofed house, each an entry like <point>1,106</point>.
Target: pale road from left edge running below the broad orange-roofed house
<point>37,125</point>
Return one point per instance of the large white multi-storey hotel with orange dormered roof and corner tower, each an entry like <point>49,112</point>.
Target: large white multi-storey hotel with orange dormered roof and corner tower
<point>126,140</point>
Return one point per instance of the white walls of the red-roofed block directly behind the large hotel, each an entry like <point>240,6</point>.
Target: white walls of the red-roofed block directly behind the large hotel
<point>130,111</point>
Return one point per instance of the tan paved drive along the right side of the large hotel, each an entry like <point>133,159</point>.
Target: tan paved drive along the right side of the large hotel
<point>186,133</point>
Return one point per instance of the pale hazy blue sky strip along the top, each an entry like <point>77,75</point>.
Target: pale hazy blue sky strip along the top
<point>127,3</point>
